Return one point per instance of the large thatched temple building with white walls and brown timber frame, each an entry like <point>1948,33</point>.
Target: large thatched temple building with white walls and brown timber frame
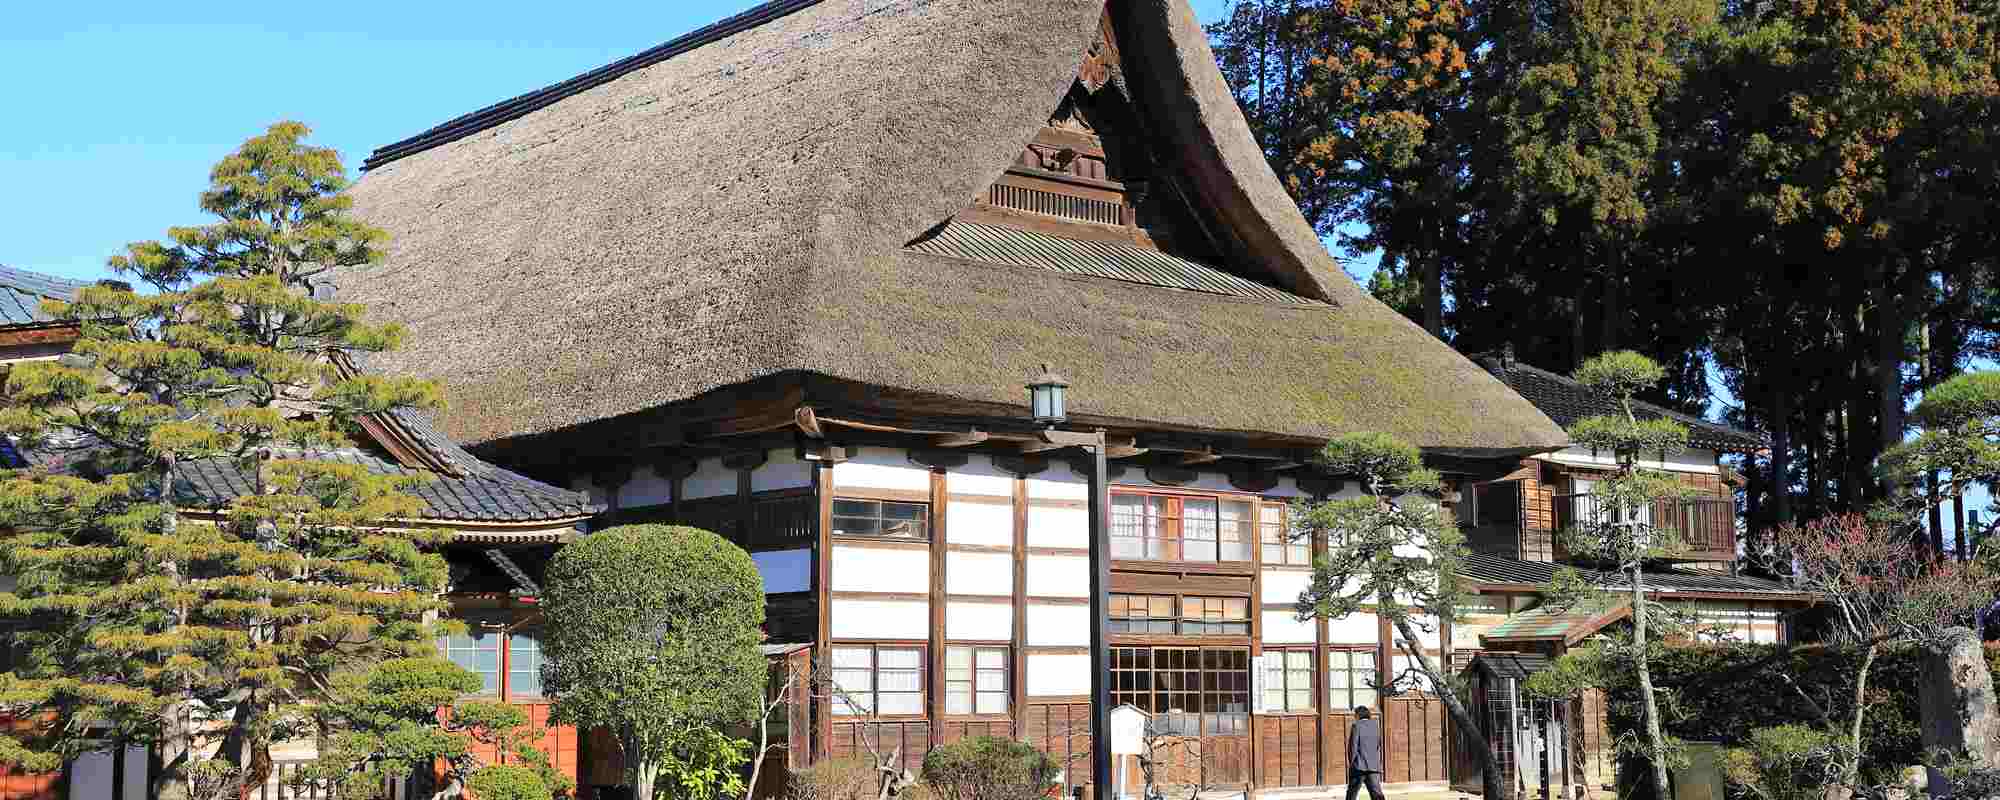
<point>787,277</point>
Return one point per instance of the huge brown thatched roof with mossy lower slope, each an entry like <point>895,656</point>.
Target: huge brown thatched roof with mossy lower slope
<point>741,205</point>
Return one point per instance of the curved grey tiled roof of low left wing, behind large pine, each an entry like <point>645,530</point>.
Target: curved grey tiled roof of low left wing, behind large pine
<point>481,493</point>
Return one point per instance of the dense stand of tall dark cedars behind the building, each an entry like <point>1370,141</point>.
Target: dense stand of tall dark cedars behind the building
<point>1795,197</point>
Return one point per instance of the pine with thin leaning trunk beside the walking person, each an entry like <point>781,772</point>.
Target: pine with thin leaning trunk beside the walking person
<point>1395,553</point>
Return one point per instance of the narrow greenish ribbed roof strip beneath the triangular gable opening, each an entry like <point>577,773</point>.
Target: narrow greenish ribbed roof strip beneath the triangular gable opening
<point>1133,265</point>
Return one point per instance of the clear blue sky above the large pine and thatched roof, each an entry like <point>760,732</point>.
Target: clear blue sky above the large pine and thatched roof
<point>119,109</point>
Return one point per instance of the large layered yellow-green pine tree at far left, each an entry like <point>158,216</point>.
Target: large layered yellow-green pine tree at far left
<point>143,623</point>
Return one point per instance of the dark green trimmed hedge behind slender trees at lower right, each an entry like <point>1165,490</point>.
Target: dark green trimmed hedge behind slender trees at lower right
<point>1725,693</point>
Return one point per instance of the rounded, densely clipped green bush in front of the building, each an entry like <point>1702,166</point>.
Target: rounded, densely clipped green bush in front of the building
<point>653,635</point>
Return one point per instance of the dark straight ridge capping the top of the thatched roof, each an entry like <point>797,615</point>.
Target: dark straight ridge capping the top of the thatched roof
<point>529,103</point>
